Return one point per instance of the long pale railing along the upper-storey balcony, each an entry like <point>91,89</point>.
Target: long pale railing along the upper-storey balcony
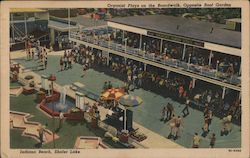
<point>201,70</point>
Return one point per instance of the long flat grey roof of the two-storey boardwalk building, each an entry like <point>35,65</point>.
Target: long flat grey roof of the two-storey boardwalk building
<point>195,29</point>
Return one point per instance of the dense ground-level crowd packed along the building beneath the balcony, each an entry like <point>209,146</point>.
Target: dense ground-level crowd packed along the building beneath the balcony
<point>175,86</point>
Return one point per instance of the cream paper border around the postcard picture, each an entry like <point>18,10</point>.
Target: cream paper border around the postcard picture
<point>224,152</point>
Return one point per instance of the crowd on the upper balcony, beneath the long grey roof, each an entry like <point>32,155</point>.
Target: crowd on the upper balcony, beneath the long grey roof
<point>227,65</point>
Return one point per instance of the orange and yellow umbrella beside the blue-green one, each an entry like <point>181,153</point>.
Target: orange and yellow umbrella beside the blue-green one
<point>112,94</point>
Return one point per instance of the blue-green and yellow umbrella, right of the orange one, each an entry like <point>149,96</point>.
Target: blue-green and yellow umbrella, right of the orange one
<point>129,100</point>
